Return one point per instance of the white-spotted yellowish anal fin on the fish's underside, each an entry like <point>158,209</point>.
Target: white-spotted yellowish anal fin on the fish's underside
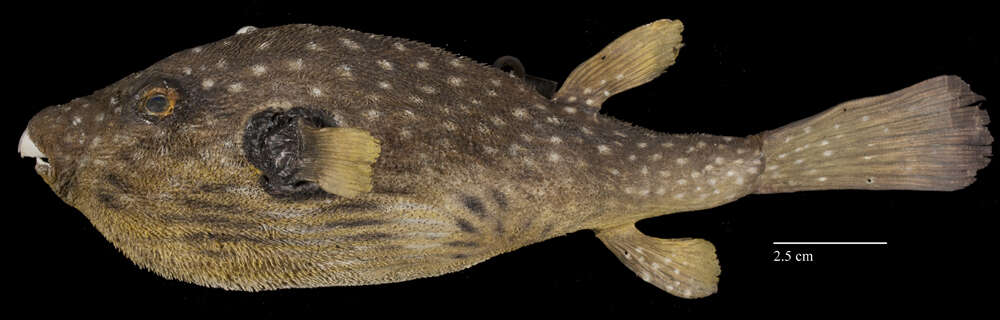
<point>686,268</point>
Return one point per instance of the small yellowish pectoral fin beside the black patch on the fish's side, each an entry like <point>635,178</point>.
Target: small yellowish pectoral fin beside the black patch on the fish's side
<point>339,159</point>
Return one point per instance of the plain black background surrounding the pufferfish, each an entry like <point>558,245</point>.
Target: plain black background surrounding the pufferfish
<point>742,71</point>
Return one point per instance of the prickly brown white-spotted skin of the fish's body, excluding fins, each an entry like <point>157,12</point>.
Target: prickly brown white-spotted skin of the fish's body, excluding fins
<point>473,164</point>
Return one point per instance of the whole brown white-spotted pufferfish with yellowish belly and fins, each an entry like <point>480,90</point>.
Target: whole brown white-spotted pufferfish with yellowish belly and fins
<point>308,156</point>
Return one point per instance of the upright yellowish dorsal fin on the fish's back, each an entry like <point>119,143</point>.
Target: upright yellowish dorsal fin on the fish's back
<point>631,60</point>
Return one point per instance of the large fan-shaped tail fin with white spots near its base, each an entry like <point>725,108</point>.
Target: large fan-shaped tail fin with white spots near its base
<point>930,136</point>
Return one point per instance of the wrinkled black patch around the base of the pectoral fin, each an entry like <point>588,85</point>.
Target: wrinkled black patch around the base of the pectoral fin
<point>272,142</point>
